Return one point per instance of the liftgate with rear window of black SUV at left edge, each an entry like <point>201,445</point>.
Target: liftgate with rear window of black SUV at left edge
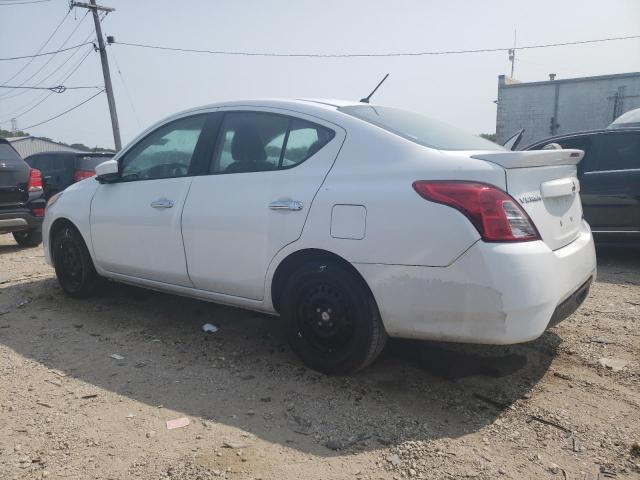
<point>14,176</point>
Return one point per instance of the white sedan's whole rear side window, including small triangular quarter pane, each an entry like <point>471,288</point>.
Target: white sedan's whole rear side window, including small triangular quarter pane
<point>258,142</point>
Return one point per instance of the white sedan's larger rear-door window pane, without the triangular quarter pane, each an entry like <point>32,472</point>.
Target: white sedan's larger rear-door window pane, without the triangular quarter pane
<point>249,142</point>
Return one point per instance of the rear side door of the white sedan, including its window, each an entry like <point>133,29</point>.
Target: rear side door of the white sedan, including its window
<point>264,172</point>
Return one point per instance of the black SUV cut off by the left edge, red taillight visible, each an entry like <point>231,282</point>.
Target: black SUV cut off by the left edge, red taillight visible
<point>21,198</point>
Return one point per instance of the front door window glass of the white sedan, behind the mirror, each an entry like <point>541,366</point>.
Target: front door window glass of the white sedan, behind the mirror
<point>165,153</point>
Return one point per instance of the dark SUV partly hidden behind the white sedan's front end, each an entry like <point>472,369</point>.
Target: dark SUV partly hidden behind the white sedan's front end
<point>61,169</point>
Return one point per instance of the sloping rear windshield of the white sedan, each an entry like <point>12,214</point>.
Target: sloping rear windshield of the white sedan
<point>419,129</point>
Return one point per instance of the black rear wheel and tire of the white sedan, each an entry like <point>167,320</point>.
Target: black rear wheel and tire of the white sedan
<point>331,319</point>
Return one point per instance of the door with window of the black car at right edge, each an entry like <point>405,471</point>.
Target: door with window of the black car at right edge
<point>610,182</point>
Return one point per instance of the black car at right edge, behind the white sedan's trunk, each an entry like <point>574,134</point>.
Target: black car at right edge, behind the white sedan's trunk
<point>609,177</point>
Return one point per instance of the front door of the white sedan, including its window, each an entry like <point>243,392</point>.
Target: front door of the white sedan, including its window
<point>135,221</point>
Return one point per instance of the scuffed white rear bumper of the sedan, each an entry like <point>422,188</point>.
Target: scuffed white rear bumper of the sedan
<point>494,293</point>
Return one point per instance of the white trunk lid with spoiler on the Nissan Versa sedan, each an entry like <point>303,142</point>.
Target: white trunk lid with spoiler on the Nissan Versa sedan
<point>545,184</point>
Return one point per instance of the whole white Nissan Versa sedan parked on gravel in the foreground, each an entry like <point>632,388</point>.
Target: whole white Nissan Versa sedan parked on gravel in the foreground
<point>351,221</point>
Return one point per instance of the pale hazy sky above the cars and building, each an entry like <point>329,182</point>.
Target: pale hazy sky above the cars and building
<point>152,84</point>
